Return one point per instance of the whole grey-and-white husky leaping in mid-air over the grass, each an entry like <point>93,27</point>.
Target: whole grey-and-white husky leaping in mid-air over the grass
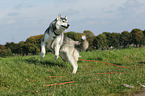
<point>55,39</point>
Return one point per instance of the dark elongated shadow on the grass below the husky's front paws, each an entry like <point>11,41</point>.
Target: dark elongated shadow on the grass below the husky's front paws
<point>37,61</point>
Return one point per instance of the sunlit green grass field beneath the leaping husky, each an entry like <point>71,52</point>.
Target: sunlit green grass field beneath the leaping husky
<point>28,75</point>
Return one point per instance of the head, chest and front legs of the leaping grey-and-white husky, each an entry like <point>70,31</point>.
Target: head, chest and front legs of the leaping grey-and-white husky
<point>55,29</point>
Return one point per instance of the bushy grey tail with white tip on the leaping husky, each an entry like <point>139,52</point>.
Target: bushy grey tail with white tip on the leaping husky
<point>84,44</point>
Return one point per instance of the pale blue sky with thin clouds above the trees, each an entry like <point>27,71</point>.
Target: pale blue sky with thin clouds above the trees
<point>20,19</point>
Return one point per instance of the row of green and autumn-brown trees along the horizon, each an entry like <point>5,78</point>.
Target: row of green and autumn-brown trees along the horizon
<point>104,41</point>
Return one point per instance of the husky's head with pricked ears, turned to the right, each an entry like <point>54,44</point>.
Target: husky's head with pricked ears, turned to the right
<point>60,24</point>
